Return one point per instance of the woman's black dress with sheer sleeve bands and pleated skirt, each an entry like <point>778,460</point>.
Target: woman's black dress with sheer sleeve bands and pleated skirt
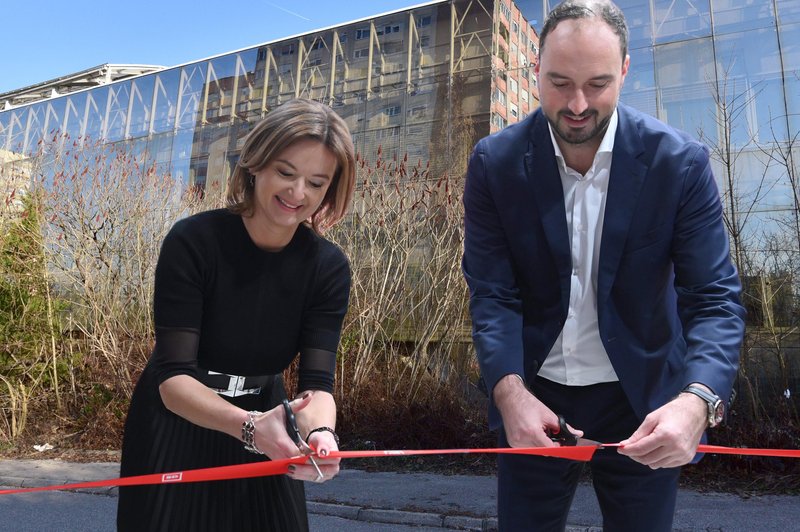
<point>223,305</point>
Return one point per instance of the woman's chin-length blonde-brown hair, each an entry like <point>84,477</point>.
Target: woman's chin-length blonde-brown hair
<point>295,120</point>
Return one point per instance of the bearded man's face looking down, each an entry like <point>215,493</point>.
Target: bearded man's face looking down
<point>580,73</point>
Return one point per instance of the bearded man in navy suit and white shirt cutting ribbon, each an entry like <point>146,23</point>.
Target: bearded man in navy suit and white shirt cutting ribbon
<point>601,287</point>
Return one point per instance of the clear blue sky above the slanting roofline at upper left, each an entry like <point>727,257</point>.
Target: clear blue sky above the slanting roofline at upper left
<point>42,40</point>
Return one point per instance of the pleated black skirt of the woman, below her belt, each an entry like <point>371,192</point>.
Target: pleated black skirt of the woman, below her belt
<point>158,441</point>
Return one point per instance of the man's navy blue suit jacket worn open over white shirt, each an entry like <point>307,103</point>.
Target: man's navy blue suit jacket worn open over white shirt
<point>668,295</point>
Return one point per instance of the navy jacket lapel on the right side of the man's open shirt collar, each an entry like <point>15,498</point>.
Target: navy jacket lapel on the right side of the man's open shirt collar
<point>625,183</point>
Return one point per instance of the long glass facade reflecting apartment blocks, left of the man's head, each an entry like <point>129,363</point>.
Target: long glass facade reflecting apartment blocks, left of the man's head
<point>404,81</point>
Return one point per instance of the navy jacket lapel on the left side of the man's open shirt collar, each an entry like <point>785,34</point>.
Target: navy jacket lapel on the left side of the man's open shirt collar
<point>546,187</point>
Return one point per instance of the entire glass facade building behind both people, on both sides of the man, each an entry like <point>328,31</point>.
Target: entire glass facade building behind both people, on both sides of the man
<point>430,80</point>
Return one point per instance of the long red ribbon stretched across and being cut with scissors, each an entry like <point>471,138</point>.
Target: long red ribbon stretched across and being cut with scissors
<point>280,467</point>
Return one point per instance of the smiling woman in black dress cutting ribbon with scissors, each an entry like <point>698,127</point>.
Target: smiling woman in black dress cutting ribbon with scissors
<point>239,292</point>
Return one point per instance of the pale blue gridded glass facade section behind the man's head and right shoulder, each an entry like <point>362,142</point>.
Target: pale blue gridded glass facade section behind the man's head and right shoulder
<point>726,71</point>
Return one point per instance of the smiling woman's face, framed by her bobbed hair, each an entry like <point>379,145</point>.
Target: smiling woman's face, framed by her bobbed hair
<point>292,186</point>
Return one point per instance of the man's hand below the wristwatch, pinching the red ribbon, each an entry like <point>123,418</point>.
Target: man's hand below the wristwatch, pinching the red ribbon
<point>669,436</point>
